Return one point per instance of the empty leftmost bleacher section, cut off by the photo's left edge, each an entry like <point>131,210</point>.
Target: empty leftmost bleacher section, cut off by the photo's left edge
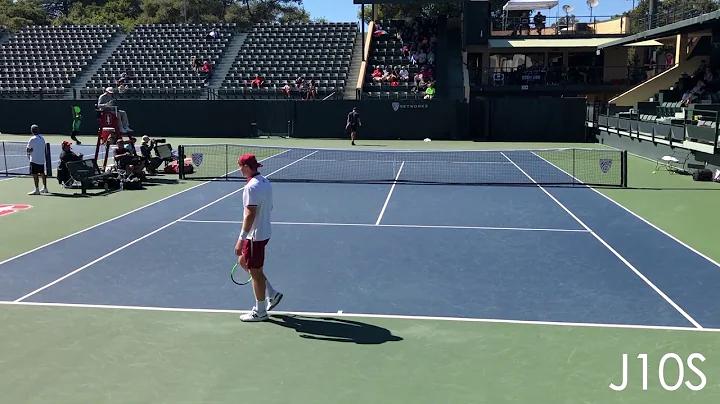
<point>47,59</point>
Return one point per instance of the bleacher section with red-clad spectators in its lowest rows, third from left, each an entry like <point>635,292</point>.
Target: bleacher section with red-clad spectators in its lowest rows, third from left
<point>280,53</point>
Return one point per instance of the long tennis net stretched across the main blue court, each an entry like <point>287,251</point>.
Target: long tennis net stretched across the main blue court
<point>561,166</point>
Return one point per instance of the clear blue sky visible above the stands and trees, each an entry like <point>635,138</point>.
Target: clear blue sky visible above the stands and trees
<point>345,10</point>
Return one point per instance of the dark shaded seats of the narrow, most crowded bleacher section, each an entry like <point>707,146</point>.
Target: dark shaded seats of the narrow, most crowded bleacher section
<point>386,52</point>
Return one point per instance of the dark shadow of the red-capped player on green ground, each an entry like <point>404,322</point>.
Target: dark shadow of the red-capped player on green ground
<point>335,329</point>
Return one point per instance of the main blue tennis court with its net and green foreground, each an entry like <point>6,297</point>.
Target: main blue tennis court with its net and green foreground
<point>397,288</point>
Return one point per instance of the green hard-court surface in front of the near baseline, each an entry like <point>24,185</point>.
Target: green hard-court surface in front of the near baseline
<point>127,356</point>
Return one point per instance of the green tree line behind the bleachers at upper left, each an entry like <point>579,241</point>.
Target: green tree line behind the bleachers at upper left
<point>127,13</point>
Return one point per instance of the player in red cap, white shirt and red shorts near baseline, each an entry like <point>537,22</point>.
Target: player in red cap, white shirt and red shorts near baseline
<point>254,236</point>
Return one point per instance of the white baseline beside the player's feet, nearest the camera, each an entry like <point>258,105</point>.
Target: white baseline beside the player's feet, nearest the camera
<point>342,313</point>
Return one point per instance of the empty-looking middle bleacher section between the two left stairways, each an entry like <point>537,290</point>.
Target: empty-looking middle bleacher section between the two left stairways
<point>158,59</point>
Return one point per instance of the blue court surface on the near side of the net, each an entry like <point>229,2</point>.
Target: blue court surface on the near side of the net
<point>519,253</point>
